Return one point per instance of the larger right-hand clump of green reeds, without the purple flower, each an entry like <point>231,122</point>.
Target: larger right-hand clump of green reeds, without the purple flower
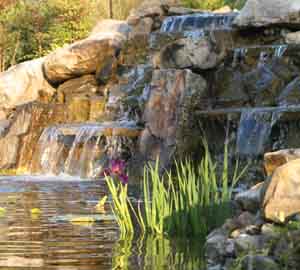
<point>192,201</point>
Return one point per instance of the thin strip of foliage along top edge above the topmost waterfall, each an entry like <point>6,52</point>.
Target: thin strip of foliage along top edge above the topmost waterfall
<point>213,4</point>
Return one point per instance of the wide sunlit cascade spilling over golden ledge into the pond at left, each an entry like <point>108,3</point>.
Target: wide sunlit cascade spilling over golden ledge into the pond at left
<point>81,149</point>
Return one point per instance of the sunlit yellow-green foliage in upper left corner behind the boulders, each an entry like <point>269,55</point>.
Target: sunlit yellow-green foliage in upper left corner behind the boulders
<point>31,29</point>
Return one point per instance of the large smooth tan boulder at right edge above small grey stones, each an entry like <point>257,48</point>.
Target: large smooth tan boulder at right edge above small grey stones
<point>282,197</point>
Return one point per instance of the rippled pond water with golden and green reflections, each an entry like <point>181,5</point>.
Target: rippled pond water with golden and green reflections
<point>38,230</point>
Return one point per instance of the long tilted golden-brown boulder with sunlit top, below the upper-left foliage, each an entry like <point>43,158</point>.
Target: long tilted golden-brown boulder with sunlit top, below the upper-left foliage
<point>83,57</point>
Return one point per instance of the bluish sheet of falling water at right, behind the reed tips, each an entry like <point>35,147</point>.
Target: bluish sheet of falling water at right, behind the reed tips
<point>254,131</point>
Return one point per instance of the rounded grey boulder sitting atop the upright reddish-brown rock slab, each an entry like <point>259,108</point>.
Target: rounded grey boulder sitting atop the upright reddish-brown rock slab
<point>188,53</point>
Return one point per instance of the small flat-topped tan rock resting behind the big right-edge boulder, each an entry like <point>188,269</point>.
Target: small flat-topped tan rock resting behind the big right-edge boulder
<point>273,160</point>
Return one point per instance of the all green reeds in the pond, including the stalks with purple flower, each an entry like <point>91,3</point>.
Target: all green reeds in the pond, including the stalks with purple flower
<point>191,200</point>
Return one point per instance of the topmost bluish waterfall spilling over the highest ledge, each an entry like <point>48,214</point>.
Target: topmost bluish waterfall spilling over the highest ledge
<point>197,21</point>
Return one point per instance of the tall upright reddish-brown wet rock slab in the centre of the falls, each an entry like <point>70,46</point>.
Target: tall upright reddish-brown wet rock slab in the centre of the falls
<point>174,94</point>
